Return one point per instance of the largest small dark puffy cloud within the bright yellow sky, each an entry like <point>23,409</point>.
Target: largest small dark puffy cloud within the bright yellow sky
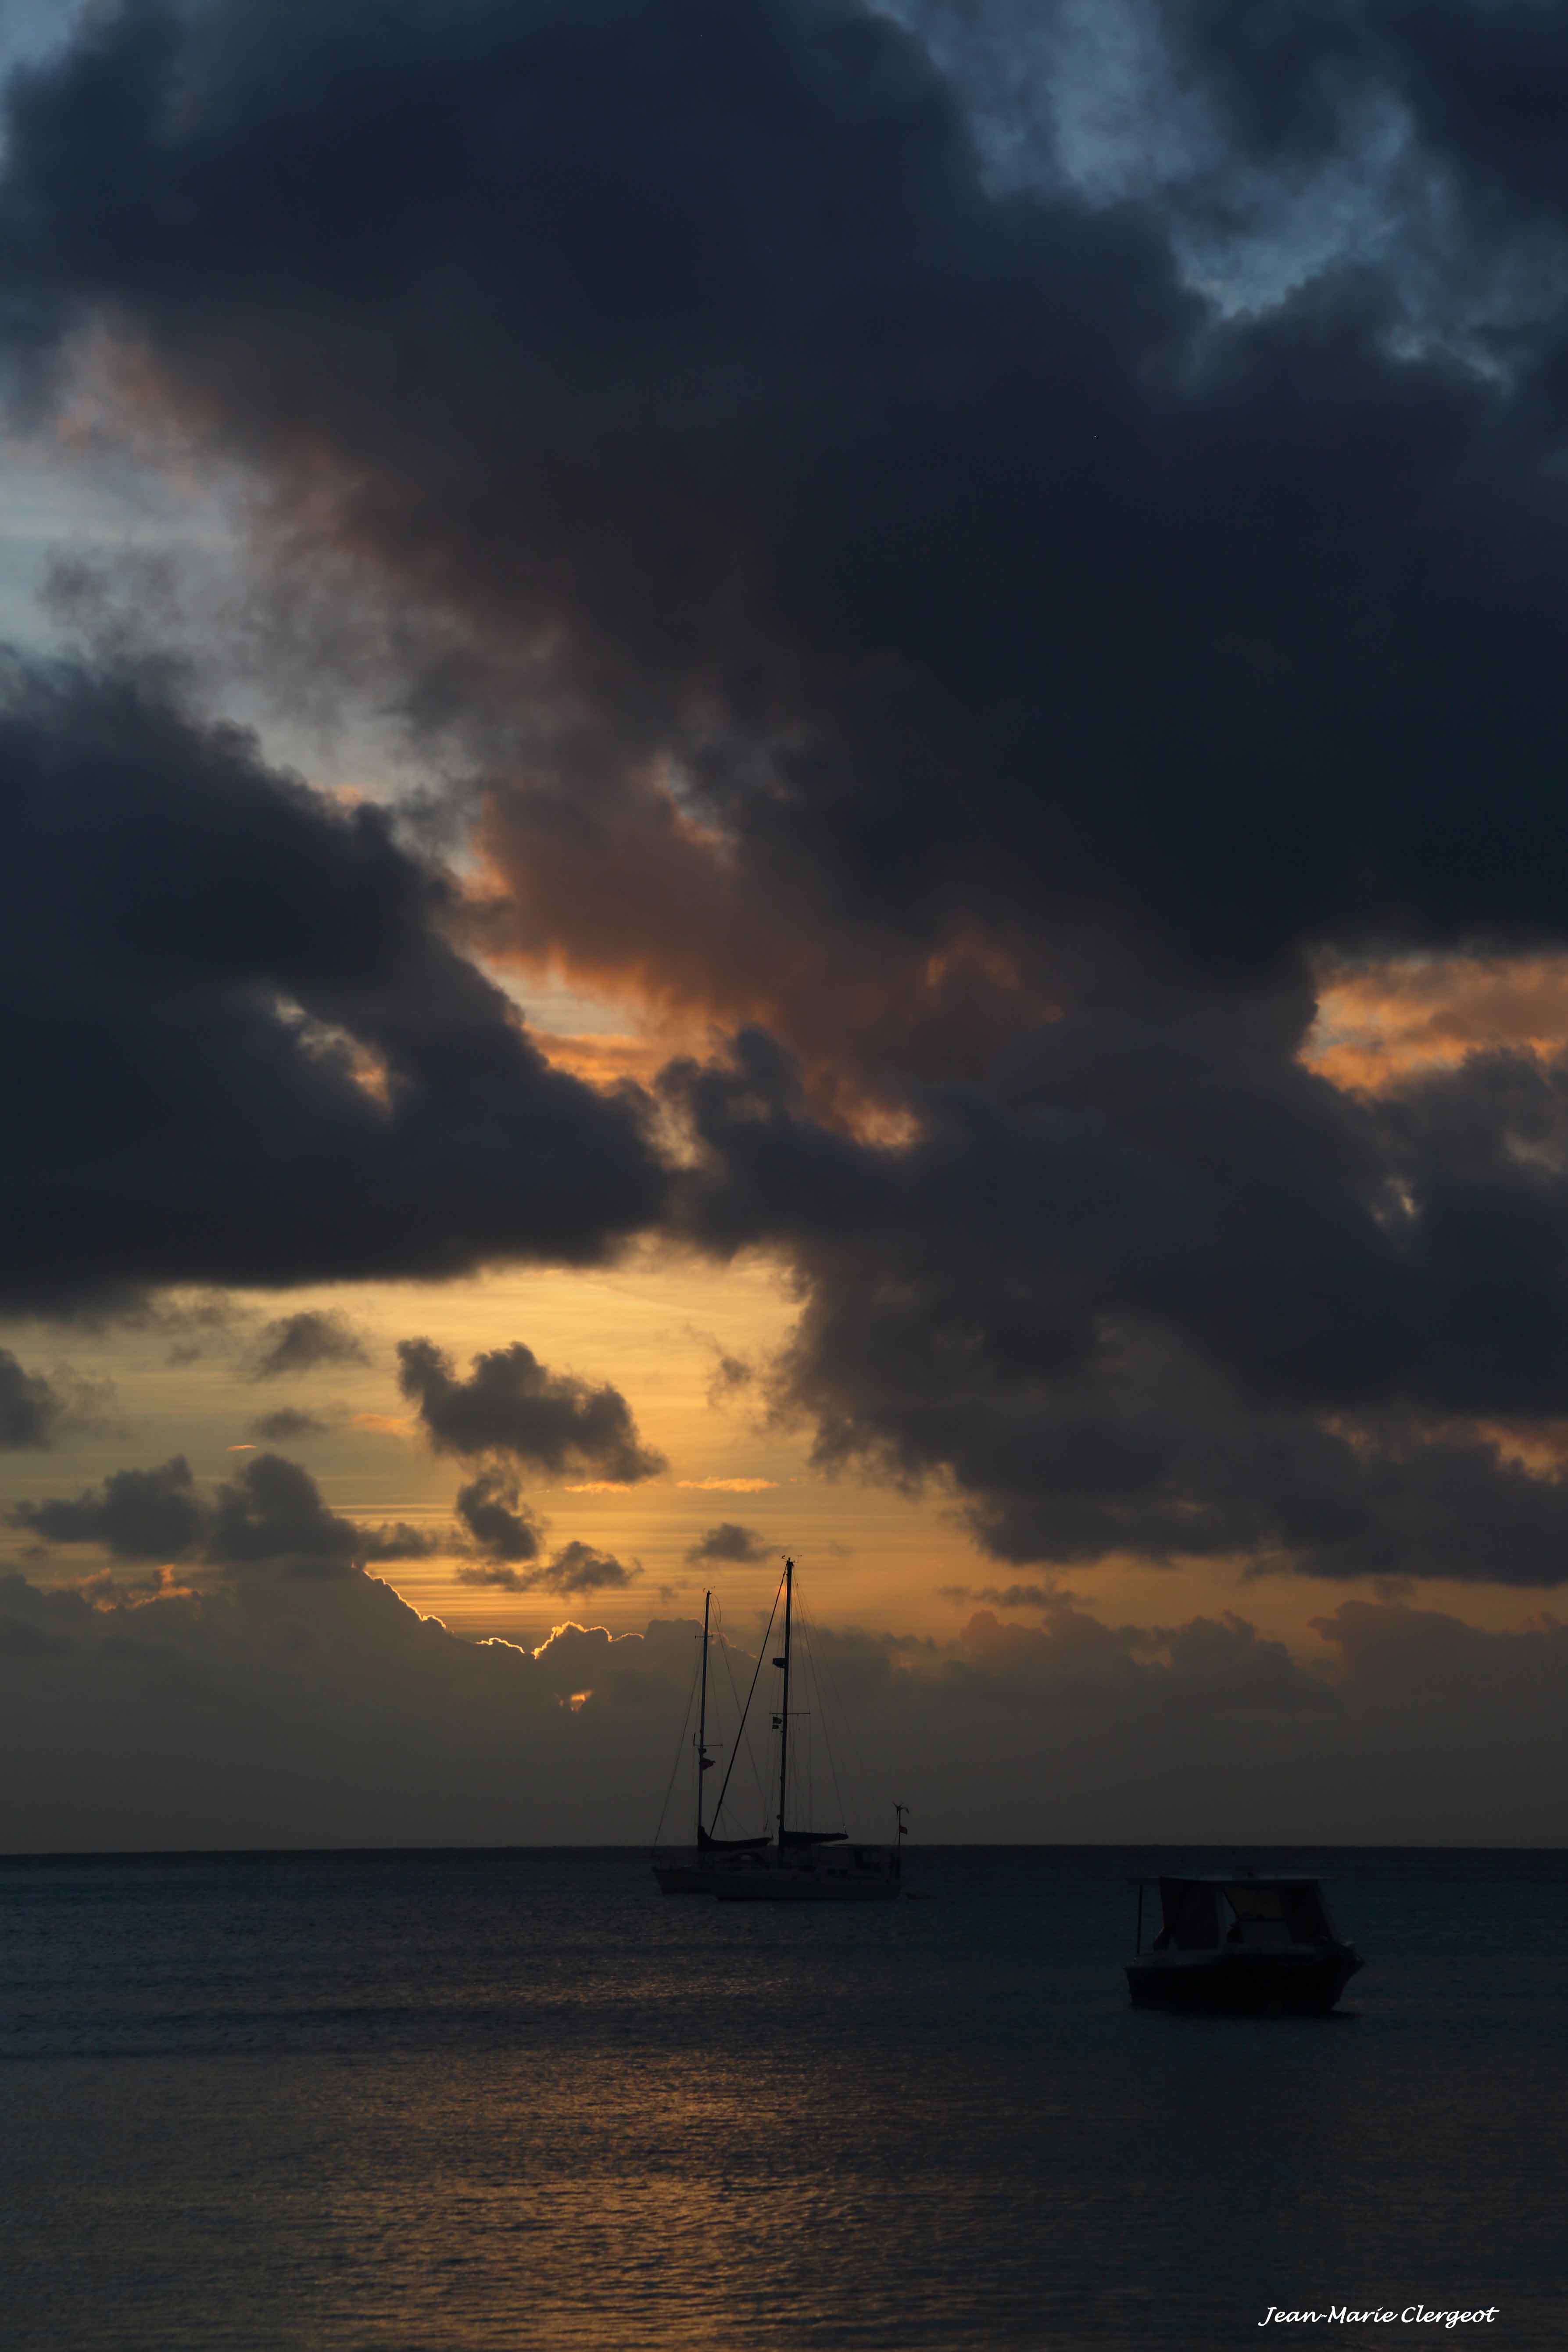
<point>516,1405</point>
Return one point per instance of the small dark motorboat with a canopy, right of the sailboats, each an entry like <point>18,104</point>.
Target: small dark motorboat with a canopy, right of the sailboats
<point>1242,1944</point>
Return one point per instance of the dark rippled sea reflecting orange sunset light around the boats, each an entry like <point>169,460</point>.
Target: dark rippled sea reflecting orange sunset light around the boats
<point>469,2102</point>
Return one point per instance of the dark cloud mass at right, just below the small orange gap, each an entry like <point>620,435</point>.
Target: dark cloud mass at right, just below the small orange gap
<point>1172,1297</point>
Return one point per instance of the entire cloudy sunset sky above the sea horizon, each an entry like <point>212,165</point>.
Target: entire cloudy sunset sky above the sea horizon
<point>784,777</point>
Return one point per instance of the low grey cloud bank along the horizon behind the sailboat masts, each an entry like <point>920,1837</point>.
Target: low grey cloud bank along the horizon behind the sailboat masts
<point>281,1711</point>
